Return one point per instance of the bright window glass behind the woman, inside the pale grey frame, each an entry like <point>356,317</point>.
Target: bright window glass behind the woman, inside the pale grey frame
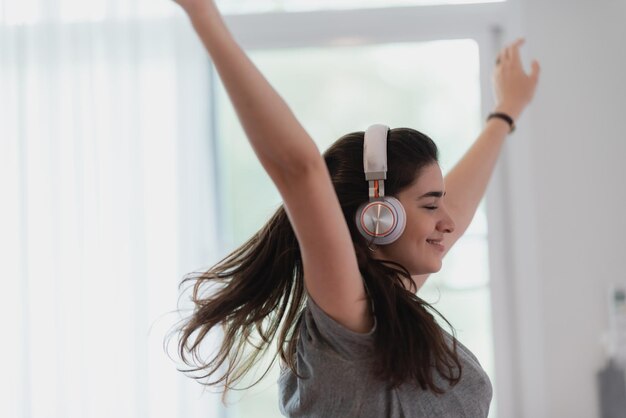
<point>430,86</point>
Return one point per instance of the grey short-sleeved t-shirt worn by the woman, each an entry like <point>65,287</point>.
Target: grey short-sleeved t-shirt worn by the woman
<point>338,380</point>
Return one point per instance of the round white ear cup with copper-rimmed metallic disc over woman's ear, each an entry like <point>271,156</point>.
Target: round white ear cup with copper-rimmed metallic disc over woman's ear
<point>381,221</point>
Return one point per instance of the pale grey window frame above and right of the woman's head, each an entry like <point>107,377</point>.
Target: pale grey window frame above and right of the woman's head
<point>485,23</point>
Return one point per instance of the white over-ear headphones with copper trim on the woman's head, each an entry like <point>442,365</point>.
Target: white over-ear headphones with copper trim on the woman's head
<point>382,219</point>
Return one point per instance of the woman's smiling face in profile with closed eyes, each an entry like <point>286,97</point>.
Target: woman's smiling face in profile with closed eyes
<point>427,220</point>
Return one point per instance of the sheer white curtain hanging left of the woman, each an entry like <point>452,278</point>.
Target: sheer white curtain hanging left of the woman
<point>105,181</point>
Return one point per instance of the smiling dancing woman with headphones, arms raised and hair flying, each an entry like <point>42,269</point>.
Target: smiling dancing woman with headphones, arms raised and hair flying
<point>333,276</point>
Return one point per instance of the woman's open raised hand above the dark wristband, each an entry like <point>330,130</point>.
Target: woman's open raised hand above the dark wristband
<point>513,88</point>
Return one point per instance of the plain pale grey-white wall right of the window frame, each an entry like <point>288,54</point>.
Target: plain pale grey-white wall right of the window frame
<point>578,182</point>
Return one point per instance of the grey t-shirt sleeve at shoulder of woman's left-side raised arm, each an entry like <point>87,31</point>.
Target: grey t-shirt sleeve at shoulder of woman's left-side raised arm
<point>327,334</point>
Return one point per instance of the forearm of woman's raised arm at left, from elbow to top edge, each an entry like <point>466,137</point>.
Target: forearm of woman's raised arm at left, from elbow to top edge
<point>280,142</point>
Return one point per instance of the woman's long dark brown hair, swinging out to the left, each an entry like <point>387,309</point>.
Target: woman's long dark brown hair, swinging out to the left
<point>257,291</point>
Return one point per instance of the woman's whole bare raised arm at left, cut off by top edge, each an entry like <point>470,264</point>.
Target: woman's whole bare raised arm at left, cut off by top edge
<point>292,160</point>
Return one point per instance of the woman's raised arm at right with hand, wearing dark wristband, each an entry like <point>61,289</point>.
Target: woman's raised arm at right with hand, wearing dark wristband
<point>467,182</point>
